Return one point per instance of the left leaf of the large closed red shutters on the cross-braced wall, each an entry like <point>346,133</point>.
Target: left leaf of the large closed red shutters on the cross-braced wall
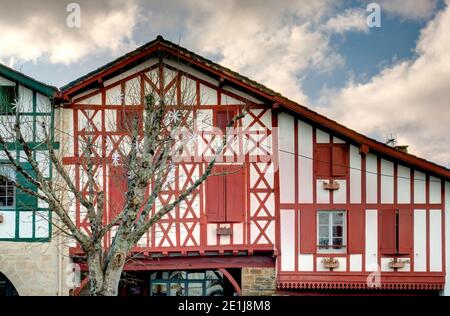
<point>215,196</point>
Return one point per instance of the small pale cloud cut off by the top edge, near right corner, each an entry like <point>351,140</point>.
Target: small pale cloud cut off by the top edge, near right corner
<point>409,9</point>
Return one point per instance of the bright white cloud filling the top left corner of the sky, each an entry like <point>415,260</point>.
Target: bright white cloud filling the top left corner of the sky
<point>39,30</point>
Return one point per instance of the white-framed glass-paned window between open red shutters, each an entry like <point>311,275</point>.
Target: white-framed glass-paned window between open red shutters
<point>331,231</point>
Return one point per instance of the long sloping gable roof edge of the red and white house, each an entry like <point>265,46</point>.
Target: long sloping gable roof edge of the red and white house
<point>269,95</point>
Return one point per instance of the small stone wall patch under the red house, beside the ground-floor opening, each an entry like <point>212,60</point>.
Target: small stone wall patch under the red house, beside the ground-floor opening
<point>258,281</point>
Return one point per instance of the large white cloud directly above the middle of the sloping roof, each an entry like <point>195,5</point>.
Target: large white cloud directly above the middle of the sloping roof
<point>271,42</point>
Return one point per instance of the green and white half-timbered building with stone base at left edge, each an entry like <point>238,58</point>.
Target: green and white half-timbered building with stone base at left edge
<point>30,261</point>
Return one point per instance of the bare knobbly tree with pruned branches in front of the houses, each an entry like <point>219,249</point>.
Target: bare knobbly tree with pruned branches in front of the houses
<point>158,134</point>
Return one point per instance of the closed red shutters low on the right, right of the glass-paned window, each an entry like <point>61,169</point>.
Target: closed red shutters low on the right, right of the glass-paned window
<point>396,232</point>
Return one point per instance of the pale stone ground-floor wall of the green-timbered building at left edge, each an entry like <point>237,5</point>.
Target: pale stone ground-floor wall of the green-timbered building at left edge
<point>33,267</point>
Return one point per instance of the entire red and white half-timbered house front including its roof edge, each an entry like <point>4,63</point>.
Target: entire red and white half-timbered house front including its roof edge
<point>266,215</point>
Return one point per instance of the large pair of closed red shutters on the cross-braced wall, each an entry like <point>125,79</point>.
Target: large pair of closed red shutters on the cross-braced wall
<point>226,194</point>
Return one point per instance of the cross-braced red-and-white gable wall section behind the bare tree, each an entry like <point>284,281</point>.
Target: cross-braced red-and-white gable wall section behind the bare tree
<point>186,230</point>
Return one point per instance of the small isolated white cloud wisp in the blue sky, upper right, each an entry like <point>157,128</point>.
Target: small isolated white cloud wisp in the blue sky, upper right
<point>350,20</point>
